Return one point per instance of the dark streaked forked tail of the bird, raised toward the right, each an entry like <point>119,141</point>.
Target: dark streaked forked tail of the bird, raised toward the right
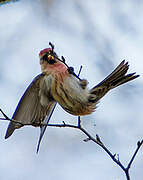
<point>116,78</point>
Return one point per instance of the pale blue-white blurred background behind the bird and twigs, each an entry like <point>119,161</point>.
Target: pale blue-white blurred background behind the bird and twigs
<point>97,35</point>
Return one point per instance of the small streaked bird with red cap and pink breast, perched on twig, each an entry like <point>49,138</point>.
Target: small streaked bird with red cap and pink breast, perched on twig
<point>58,83</point>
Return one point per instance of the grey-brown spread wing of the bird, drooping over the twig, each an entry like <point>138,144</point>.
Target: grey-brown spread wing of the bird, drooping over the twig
<point>29,109</point>
